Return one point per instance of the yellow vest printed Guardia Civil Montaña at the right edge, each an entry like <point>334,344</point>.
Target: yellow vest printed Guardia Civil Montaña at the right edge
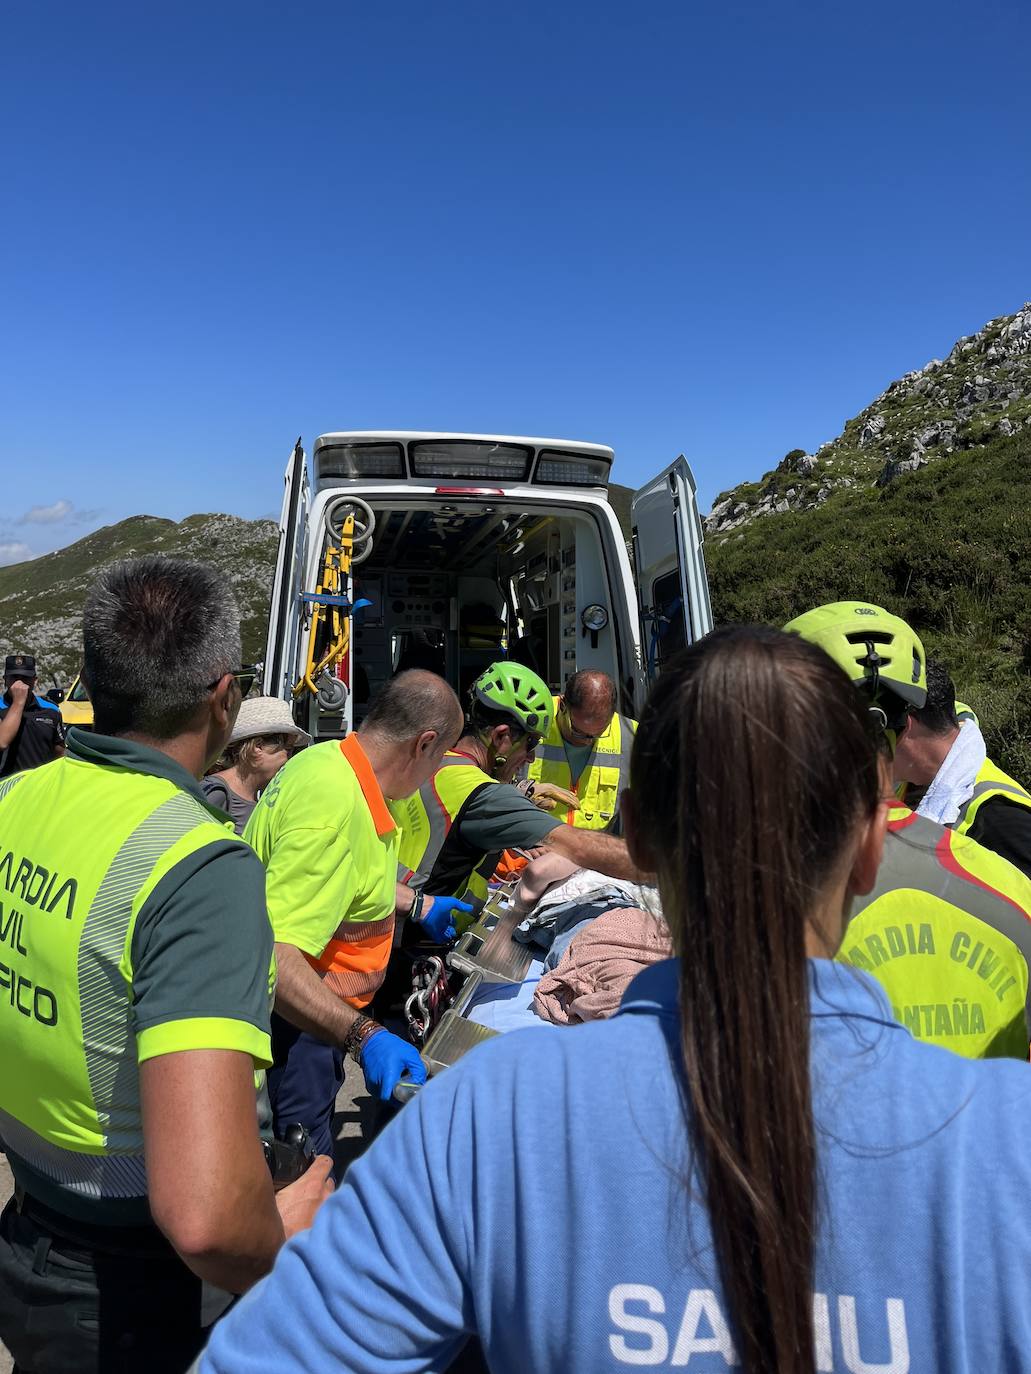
<point>948,934</point>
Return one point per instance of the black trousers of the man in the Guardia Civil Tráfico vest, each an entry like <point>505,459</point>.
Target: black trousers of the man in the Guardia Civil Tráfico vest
<point>72,1307</point>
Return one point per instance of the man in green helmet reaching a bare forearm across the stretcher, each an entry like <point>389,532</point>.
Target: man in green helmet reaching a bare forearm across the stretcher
<point>458,824</point>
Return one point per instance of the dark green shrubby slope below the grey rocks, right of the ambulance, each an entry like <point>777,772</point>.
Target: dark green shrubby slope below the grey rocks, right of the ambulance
<point>948,548</point>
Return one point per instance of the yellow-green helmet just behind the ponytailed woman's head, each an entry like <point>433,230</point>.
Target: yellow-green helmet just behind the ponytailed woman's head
<point>876,649</point>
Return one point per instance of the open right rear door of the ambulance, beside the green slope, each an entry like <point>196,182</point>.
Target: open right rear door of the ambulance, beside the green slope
<point>673,587</point>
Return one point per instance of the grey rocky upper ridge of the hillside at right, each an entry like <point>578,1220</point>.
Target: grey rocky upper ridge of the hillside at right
<point>981,392</point>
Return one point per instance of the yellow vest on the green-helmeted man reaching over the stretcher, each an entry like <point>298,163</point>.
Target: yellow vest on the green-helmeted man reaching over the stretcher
<point>425,821</point>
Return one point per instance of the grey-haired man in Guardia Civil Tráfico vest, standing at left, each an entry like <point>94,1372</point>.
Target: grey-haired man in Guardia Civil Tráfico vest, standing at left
<point>135,962</point>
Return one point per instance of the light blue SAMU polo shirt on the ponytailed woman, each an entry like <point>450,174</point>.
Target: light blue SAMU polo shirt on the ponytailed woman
<point>537,1195</point>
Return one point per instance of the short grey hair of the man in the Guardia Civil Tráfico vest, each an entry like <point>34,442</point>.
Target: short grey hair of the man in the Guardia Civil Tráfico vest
<point>157,633</point>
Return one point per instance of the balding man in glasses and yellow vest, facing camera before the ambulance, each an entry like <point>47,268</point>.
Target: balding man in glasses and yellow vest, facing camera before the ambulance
<point>586,752</point>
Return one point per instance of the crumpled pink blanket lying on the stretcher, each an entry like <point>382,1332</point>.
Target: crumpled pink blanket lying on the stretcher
<point>599,965</point>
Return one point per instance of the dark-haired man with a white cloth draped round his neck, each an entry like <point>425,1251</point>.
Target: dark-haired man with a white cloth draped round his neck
<point>945,773</point>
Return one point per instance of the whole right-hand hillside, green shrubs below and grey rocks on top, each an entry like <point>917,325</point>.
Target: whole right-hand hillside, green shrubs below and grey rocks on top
<point>944,539</point>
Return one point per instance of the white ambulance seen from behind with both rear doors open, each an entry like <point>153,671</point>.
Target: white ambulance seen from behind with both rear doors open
<point>449,552</point>
